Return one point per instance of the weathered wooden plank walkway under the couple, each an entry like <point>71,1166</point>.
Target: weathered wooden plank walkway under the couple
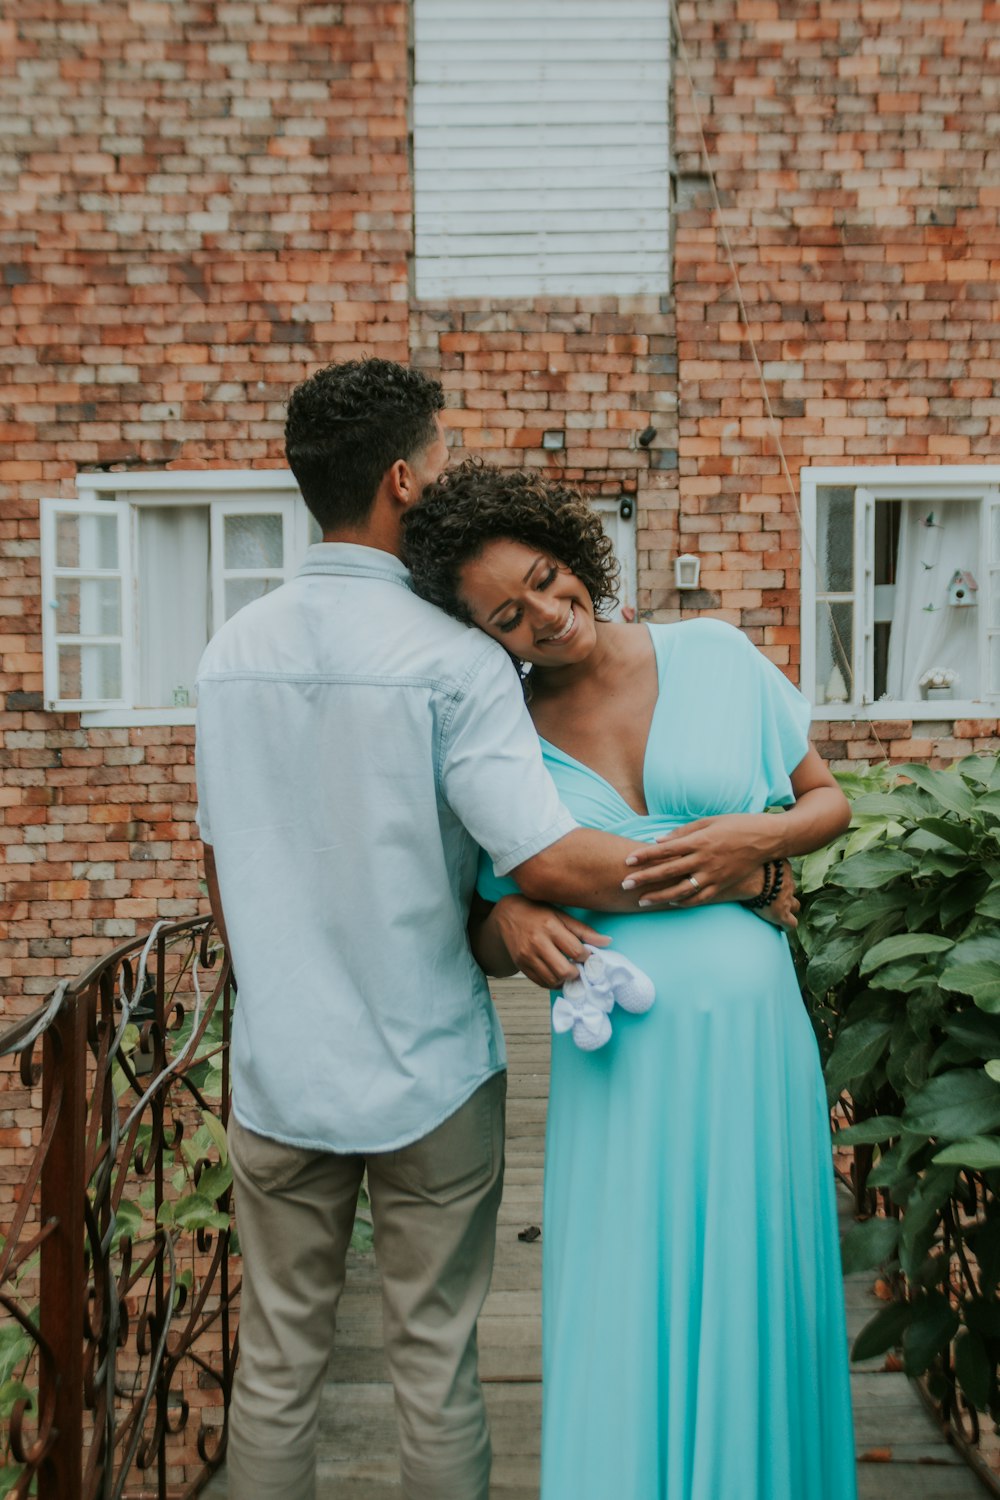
<point>358,1441</point>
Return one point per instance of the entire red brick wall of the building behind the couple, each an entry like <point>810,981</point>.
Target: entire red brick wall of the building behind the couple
<point>202,203</point>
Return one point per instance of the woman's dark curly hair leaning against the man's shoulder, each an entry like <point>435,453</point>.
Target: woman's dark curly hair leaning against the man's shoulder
<point>478,503</point>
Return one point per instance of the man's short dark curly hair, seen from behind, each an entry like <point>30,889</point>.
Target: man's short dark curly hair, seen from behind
<point>347,425</point>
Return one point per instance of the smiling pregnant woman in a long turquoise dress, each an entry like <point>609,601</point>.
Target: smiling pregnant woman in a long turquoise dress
<point>693,1327</point>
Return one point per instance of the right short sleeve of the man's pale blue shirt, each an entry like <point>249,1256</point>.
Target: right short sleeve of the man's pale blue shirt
<point>493,775</point>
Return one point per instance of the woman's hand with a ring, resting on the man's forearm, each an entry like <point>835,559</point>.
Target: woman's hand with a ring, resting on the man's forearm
<point>710,860</point>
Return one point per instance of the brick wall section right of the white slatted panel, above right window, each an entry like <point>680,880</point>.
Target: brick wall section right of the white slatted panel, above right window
<point>858,166</point>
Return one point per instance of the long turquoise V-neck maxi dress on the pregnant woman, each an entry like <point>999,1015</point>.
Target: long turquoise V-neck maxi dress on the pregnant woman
<point>693,1319</point>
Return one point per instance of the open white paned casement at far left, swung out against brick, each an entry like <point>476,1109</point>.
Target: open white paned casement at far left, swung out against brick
<point>86,604</point>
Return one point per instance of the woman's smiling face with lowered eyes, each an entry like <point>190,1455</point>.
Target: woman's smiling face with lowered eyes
<point>530,602</point>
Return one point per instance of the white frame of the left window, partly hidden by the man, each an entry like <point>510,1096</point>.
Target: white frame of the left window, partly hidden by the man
<point>223,493</point>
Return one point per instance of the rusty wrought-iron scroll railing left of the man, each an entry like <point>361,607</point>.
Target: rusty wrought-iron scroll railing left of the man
<point>116,1289</point>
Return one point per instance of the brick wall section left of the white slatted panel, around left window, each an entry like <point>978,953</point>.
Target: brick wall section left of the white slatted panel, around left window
<point>200,203</point>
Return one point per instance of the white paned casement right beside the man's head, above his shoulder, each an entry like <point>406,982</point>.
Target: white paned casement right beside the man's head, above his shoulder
<point>254,550</point>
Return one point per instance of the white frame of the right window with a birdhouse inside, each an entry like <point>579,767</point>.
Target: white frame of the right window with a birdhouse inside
<point>941,485</point>
